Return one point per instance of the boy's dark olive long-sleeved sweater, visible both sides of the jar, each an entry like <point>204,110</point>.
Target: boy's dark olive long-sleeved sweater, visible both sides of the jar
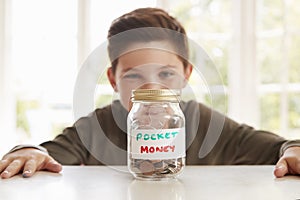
<point>211,139</point>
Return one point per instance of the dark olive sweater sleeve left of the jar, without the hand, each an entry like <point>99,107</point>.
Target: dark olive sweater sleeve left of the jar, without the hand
<point>93,140</point>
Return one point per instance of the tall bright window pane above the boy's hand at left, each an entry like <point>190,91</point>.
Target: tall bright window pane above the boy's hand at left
<point>44,50</point>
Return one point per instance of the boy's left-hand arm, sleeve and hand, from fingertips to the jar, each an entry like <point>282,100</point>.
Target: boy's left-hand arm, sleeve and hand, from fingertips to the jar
<point>75,146</point>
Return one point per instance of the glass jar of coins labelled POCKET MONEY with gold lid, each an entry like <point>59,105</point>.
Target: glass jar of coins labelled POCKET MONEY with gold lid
<point>156,134</point>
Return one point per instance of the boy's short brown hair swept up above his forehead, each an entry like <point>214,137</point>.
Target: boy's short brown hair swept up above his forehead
<point>145,18</point>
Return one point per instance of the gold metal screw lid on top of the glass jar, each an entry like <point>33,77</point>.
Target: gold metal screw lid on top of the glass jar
<point>155,95</point>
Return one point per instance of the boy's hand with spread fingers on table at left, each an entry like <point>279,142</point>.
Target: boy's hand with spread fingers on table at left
<point>27,161</point>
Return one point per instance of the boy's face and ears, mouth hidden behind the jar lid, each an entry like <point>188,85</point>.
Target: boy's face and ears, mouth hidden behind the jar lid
<point>147,69</point>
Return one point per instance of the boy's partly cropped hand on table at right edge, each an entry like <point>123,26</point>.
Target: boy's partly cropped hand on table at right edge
<point>289,163</point>
